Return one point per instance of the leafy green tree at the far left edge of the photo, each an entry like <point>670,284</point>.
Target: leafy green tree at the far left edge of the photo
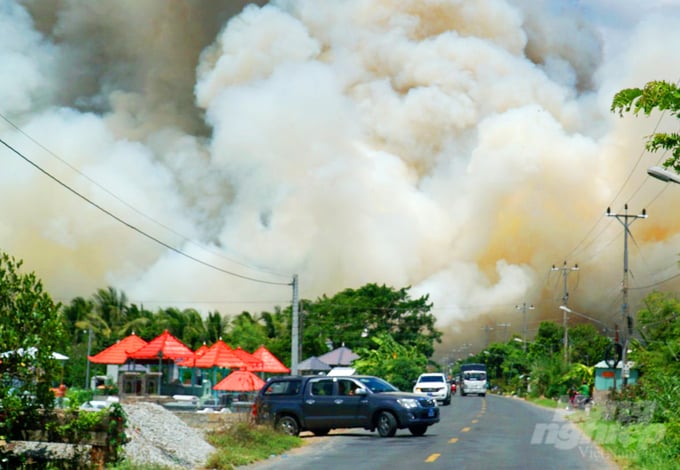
<point>31,329</point>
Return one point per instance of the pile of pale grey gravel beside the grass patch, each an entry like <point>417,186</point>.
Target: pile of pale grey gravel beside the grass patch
<point>158,437</point>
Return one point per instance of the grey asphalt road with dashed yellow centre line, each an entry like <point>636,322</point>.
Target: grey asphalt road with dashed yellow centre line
<point>474,433</point>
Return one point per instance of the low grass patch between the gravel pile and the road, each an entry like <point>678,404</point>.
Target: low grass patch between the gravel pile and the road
<point>244,443</point>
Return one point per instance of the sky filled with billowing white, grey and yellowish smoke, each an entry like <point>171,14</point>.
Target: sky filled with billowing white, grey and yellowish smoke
<point>200,154</point>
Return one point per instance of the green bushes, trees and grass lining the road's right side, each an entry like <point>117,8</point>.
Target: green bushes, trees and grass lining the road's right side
<point>639,426</point>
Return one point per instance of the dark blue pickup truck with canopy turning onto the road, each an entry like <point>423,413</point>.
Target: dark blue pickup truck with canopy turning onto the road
<point>321,403</point>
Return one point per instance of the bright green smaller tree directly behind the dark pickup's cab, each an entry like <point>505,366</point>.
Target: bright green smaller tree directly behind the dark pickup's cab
<point>397,363</point>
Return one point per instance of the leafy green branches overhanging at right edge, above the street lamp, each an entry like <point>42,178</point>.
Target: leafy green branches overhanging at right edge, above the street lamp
<point>659,95</point>
